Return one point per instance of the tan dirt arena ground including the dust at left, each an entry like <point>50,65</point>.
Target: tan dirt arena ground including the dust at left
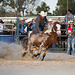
<point>11,62</point>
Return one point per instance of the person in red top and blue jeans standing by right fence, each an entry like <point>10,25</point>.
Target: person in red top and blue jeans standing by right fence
<point>70,37</point>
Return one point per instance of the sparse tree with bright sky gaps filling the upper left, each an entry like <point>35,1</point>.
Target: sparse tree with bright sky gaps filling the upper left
<point>24,6</point>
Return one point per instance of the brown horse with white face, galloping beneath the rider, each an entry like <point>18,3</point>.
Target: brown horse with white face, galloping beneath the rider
<point>43,42</point>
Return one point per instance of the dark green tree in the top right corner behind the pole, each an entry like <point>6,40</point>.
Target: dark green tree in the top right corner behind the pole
<point>62,7</point>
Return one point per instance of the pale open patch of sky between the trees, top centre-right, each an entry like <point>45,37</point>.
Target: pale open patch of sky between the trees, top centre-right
<point>51,4</point>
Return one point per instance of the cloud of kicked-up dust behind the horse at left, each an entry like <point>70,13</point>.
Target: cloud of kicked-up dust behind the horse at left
<point>12,52</point>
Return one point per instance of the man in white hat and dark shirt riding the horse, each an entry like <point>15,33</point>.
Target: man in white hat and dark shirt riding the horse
<point>40,22</point>
